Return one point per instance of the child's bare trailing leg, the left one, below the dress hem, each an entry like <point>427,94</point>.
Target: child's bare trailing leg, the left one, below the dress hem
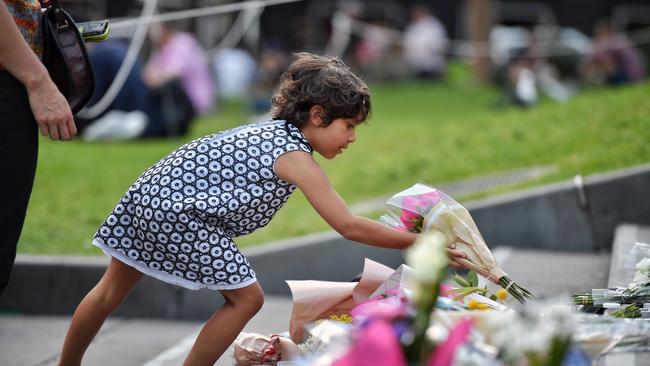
<point>101,301</point>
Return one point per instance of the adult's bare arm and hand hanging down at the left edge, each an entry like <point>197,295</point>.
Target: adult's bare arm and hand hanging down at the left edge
<point>51,110</point>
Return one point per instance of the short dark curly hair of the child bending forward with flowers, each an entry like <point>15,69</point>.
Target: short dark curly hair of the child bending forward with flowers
<point>319,80</point>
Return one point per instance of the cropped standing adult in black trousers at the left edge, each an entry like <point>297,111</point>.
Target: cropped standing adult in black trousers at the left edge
<point>29,101</point>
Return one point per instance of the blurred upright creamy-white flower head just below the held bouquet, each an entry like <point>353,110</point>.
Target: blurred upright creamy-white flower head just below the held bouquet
<point>427,257</point>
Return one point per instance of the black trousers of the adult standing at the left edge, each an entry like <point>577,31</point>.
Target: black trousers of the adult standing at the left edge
<point>18,154</point>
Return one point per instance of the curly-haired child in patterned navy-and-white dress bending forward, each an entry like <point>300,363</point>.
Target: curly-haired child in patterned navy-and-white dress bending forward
<point>178,220</point>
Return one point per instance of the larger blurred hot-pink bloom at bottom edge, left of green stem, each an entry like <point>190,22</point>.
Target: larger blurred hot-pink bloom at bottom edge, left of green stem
<point>376,345</point>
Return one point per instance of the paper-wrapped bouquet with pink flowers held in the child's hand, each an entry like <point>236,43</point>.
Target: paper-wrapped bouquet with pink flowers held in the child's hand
<point>422,209</point>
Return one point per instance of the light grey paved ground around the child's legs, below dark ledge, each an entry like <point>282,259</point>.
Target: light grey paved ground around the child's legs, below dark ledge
<point>37,340</point>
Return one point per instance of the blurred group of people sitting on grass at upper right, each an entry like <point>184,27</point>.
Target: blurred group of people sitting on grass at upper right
<point>556,62</point>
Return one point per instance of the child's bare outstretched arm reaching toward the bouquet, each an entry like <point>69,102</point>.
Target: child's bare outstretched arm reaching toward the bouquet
<point>301,169</point>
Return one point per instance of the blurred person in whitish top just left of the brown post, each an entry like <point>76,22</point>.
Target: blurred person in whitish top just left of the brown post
<point>425,42</point>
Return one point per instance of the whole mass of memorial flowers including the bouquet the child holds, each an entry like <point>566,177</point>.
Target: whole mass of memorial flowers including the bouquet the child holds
<point>413,315</point>
